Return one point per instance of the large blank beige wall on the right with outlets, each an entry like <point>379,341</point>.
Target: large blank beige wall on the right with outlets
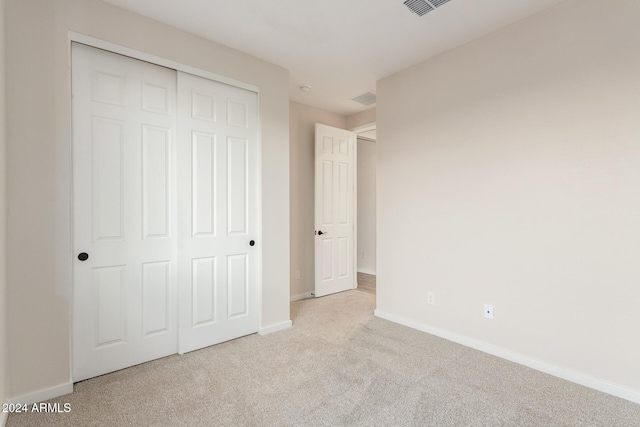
<point>509,173</point>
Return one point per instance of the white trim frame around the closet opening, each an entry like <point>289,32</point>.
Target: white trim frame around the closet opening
<point>167,63</point>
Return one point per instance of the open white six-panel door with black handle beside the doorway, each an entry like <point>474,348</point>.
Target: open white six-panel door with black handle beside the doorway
<point>335,210</point>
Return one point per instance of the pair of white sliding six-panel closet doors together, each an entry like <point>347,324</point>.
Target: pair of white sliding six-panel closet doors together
<point>164,209</point>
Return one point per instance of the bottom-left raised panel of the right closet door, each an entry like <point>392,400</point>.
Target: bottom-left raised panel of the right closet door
<point>204,290</point>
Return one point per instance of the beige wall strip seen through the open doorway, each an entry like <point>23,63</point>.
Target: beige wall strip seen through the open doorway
<point>366,206</point>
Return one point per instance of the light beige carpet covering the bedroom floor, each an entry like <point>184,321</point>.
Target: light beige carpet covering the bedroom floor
<point>337,366</point>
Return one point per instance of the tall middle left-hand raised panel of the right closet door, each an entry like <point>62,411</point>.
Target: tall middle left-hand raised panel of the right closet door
<point>203,161</point>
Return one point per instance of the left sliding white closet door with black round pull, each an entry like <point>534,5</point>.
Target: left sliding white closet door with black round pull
<point>124,293</point>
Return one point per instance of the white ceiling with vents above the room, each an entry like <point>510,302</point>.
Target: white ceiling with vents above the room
<point>338,47</point>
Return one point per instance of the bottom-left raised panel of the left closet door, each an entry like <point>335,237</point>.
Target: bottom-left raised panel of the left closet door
<point>110,306</point>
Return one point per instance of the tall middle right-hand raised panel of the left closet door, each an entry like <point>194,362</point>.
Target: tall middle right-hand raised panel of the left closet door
<point>155,178</point>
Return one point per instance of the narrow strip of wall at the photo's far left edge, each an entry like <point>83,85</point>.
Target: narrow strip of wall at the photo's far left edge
<point>3,220</point>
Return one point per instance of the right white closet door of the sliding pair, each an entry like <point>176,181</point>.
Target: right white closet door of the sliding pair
<point>218,198</point>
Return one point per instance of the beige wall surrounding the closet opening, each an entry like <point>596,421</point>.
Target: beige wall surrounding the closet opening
<point>40,256</point>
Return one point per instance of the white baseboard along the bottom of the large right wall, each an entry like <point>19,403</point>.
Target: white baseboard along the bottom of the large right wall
<point>521,359</point>
